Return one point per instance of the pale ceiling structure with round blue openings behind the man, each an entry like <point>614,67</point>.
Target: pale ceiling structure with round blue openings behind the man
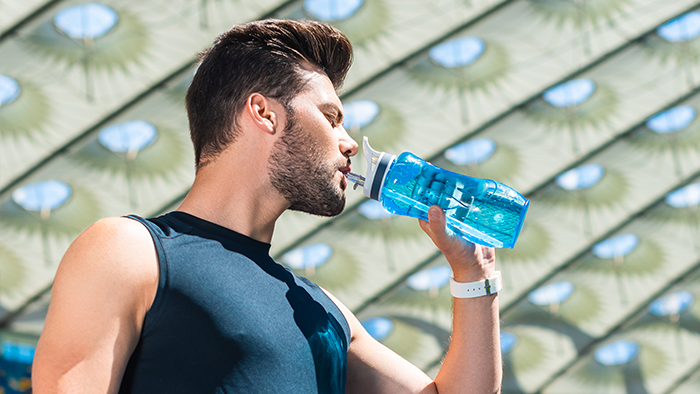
<point>588,108</point>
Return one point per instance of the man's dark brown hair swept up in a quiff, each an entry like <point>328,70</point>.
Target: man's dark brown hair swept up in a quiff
<point>267,57</point>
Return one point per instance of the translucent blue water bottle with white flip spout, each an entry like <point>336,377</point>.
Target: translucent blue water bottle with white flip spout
<point>481,210</point>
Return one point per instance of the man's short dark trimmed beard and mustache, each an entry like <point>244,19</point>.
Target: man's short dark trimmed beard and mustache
<point>299,171</point>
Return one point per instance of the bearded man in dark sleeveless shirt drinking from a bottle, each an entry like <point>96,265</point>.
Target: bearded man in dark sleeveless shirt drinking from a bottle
<point>192,302</point>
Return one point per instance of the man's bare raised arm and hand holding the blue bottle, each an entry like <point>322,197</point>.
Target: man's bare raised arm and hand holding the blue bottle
<point>473,361</point>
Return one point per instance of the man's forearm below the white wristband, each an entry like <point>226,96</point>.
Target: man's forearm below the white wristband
<point>473,362</point>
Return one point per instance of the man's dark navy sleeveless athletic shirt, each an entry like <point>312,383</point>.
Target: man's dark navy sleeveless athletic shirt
<point>228,319</point>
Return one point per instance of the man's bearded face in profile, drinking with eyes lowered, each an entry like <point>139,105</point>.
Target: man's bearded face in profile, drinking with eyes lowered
<point>309,162</point>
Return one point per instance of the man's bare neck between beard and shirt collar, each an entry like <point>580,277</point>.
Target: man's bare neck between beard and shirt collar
<point>236,194</point>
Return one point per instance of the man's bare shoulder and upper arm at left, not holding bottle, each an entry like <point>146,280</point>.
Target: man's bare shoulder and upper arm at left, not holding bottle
<point>104,285</point>
